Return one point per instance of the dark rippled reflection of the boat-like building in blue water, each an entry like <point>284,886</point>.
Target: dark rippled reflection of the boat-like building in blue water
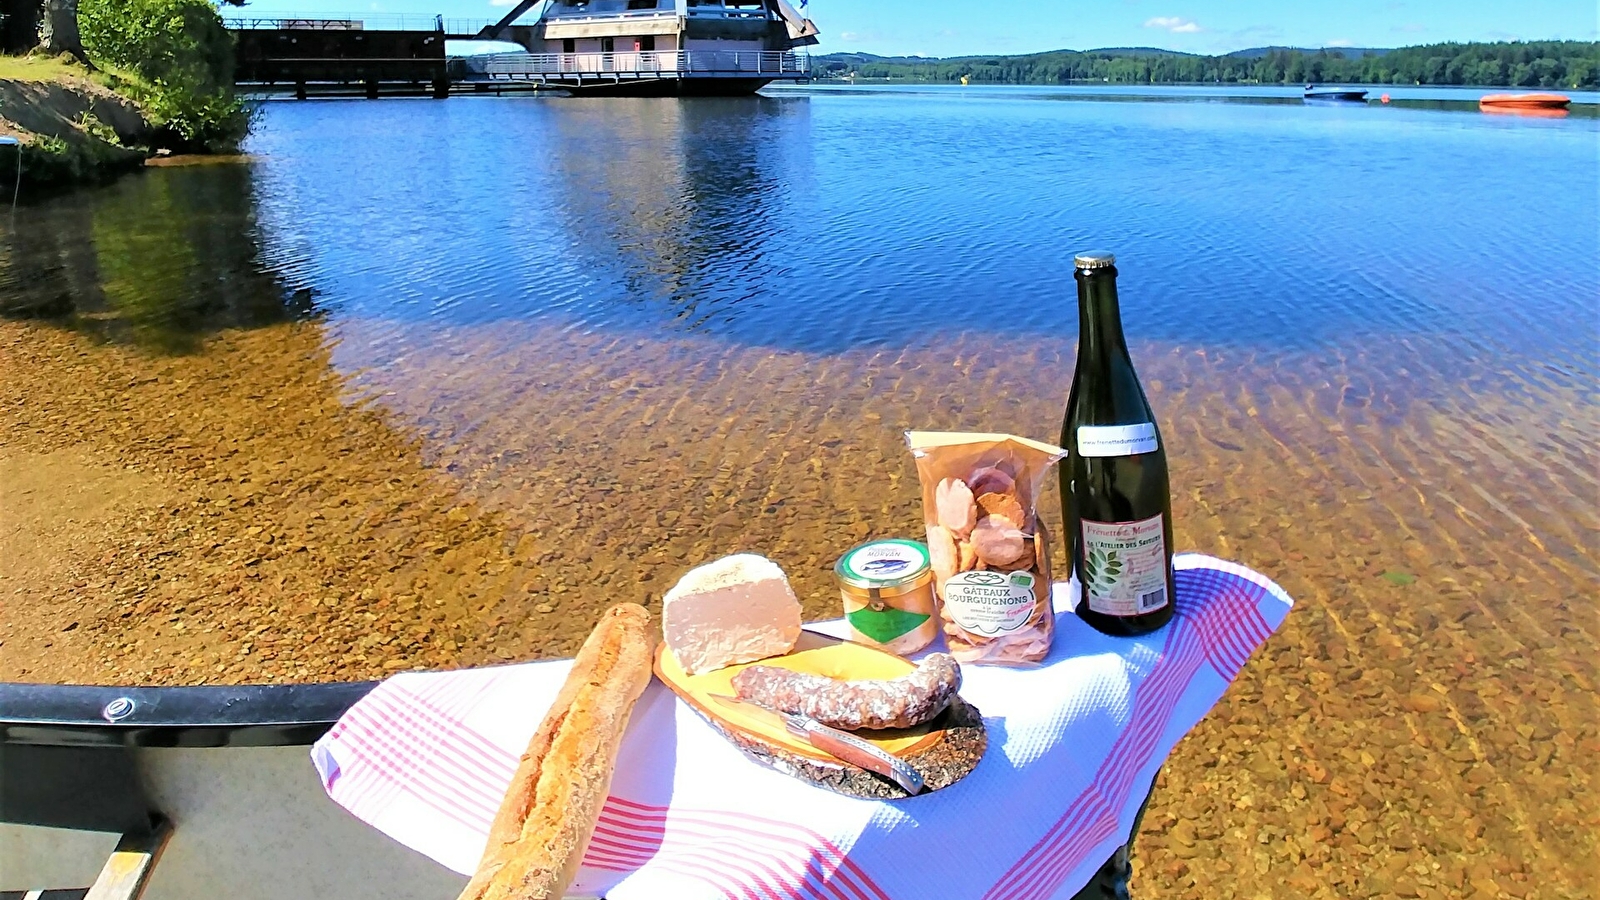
<point>679,203</point>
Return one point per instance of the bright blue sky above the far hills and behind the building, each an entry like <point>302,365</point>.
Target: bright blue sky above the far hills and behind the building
<point>950,28</point>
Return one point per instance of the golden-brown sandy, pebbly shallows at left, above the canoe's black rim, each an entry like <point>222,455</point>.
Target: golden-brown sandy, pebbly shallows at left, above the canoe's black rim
<point>159,537</point>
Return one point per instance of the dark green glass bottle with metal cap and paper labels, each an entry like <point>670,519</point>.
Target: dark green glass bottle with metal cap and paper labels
<point>1114,494</point>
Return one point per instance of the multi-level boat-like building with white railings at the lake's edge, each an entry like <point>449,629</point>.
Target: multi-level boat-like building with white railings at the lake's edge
<point>654,47</point>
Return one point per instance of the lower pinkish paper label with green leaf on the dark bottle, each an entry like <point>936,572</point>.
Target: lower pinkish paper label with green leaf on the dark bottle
<point>1126,566</point>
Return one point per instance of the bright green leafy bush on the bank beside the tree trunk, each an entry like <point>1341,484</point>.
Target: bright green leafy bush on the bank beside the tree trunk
<point>183,65</point>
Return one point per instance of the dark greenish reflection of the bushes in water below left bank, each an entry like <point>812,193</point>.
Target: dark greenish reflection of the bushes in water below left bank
<point>158,262</point>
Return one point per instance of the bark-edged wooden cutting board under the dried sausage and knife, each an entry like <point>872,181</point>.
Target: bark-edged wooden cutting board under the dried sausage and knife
<point>943,750</point>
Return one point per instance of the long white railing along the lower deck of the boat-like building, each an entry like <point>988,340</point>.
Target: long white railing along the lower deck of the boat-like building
<point>665,63</point>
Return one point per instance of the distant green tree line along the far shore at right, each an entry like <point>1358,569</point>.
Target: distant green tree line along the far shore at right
<point>1522,65</point>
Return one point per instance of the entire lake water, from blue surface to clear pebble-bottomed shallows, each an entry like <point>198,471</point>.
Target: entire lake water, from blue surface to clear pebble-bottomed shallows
<point>366,404</point>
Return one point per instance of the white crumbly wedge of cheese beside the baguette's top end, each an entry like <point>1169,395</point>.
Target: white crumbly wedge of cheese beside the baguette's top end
<point>734,611</point>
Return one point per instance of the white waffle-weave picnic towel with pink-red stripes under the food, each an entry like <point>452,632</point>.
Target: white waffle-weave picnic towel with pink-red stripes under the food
<point>1073,750</point>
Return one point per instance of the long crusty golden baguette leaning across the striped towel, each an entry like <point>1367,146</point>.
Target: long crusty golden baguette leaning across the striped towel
<point>550,813</point>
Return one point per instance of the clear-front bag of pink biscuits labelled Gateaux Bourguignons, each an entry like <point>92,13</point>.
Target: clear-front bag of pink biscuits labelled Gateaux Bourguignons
<point>986,545</point>
